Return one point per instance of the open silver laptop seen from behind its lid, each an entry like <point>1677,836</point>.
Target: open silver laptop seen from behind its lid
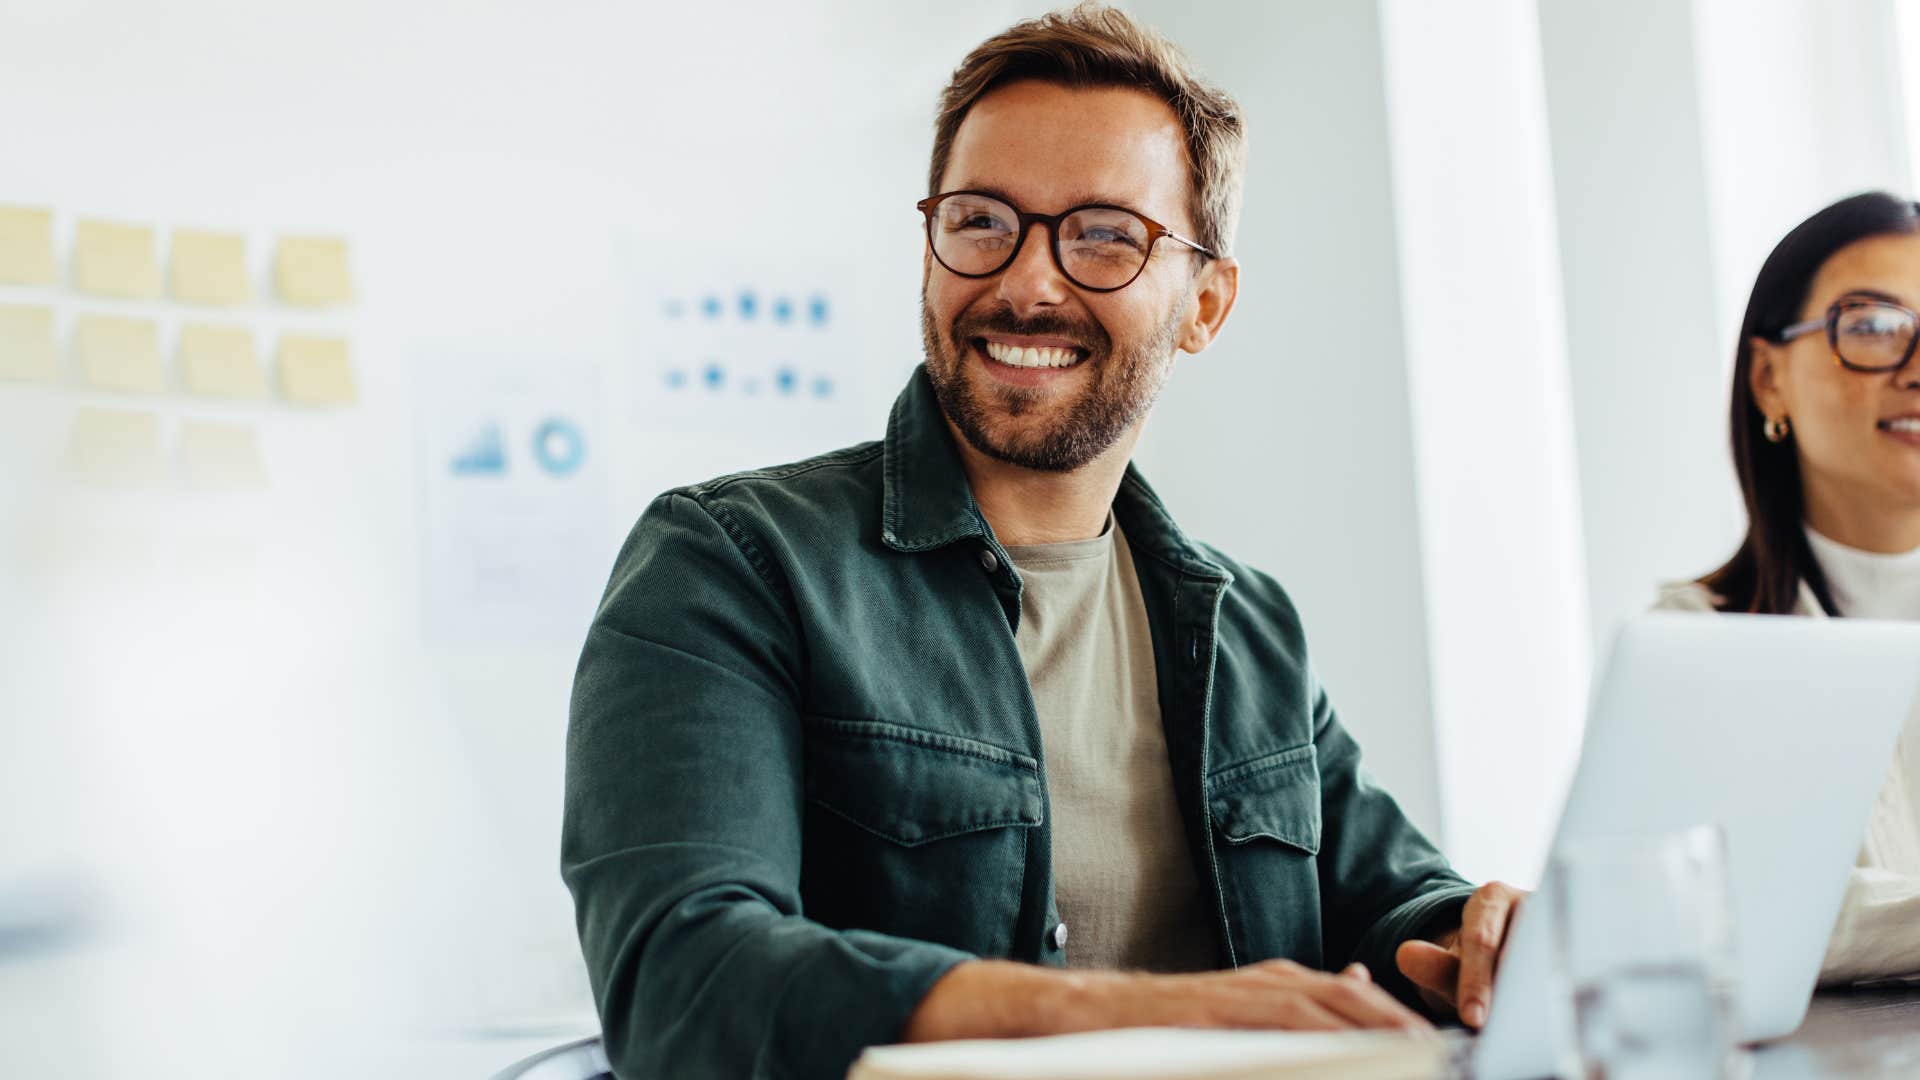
<point>1781,731</point>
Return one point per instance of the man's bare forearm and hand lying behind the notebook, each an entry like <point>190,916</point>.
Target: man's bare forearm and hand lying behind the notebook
<point>1011,1000</point>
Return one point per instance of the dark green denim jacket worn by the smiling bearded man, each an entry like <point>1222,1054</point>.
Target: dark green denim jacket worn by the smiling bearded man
<point>804,768</point>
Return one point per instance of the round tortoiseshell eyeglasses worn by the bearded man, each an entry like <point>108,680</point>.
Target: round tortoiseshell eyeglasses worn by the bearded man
<point>1097,247</point>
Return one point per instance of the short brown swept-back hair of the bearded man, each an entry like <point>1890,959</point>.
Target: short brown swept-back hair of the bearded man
<point>1093,45</point>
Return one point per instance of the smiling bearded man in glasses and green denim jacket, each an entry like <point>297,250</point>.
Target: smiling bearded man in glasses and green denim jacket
<point>857,743</point>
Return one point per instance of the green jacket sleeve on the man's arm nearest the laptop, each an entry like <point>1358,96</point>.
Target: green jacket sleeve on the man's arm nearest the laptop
<point>1381,879</point>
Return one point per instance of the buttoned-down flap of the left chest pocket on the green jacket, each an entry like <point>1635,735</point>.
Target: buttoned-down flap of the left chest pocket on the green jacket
<point>915,787</point>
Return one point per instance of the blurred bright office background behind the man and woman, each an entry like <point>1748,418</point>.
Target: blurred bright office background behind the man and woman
<point>343,343</point>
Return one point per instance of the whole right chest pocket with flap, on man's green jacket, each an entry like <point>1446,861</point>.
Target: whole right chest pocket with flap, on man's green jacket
<point>1268,823</point>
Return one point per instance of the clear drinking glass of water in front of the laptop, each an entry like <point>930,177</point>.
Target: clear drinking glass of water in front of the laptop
<point>1644,945</point>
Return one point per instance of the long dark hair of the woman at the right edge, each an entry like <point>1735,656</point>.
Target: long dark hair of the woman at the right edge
<point>1771,564</point>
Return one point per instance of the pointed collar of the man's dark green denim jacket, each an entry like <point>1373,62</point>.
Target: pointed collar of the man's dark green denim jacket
<point>928,503</point>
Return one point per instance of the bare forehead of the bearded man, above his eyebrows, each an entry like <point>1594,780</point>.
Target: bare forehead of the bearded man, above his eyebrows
<point>1051,147</point>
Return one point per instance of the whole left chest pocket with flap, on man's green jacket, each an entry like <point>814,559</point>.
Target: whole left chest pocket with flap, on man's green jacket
<point>917,833</point>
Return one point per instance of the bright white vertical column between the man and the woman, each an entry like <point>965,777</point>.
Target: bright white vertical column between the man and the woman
<point>1493,424</point>
